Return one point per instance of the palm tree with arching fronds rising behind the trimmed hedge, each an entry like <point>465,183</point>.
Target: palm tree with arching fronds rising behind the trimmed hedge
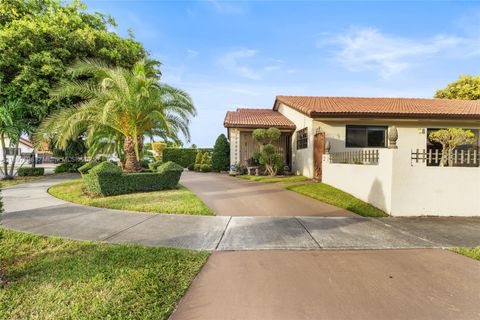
<point>120,105</point>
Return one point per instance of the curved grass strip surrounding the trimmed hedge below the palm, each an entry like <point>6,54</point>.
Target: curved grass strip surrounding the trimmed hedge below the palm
<point>181,200</point>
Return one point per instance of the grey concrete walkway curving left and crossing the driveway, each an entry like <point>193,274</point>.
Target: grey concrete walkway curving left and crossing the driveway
<point>30,208</point>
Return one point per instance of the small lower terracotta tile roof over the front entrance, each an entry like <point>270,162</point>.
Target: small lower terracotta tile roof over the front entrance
<point>257,118</point>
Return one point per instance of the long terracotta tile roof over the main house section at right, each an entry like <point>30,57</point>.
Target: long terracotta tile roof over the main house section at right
<point>382,107</point>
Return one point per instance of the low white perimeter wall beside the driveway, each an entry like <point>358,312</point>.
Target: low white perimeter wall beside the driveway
<point>401,188</point>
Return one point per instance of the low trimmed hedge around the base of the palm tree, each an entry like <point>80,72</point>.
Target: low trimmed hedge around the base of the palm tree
<point>107,179</point>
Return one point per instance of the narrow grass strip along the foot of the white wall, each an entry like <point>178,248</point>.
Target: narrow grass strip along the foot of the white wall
<point>336,197</point>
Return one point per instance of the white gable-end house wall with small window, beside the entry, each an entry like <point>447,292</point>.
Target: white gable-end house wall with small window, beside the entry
<point>302,160</point>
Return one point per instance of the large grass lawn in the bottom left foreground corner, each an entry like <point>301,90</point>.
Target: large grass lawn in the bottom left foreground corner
<point>52,278</point>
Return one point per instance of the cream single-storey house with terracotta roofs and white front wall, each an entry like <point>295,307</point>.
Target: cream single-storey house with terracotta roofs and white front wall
<point>374,148</point>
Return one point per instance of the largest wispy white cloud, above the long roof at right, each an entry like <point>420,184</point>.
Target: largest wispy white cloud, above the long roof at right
<point>363,49</point>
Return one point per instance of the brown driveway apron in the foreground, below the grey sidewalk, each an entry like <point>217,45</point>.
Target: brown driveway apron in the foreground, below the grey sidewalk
<point>364,284</point>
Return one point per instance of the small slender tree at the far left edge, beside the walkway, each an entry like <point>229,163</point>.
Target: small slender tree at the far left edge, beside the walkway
<point>13,124</point>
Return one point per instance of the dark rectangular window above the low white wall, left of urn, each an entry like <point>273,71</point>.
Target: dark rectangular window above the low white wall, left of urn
<point>366,137</point>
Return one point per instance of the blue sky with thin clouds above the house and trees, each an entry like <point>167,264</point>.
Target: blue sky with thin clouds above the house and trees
<point>243,54</point>
